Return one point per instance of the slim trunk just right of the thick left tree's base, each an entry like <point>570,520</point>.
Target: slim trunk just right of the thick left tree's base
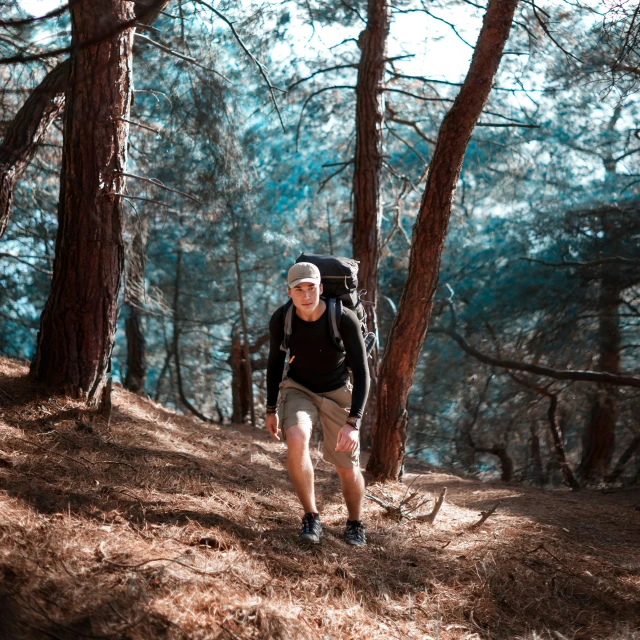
<point>134,296</point>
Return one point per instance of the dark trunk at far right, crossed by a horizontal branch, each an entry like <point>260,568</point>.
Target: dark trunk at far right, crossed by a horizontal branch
<point>599,435</point>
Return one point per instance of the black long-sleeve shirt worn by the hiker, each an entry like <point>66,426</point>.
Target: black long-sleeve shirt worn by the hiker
<point>318,364</point>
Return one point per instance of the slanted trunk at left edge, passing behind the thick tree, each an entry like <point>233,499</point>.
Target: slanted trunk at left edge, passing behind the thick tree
<point>30,125</point>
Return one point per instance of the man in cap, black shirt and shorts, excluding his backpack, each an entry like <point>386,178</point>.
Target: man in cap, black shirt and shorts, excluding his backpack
<point>317,389</point>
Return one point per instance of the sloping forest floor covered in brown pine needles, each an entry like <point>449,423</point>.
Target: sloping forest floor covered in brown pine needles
<point>162,526</point>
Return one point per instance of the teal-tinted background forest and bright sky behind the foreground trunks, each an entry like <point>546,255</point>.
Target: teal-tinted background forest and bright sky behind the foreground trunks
<point>241,154</point>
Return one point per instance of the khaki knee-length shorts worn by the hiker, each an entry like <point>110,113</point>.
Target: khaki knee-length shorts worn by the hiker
<point>298,405</point>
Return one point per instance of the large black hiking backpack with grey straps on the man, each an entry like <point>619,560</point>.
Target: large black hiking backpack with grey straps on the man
<point>339,289</point>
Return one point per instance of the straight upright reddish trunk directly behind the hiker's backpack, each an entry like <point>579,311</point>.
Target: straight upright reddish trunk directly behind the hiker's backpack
<point>366,177</point>
